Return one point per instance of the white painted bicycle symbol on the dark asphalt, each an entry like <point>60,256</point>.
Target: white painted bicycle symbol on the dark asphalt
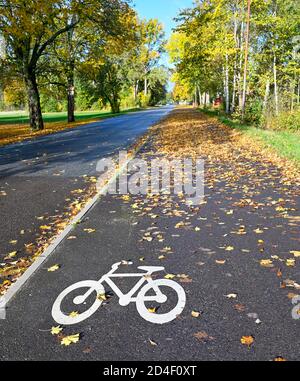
<point>124,299</point>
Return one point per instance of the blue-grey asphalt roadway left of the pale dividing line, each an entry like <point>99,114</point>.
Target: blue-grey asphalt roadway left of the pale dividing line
<point>37,176</point>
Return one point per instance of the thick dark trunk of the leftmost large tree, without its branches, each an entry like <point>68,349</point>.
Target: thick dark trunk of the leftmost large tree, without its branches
<point>34,105</point>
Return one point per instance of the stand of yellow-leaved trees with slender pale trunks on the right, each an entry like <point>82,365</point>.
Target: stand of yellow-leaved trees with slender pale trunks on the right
<point>213,51</point>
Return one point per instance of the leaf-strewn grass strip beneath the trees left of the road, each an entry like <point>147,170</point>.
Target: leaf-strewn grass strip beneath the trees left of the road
<point>14,125</point>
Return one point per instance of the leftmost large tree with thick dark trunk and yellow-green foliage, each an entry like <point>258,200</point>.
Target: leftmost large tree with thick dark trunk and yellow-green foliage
<point>29,28</point>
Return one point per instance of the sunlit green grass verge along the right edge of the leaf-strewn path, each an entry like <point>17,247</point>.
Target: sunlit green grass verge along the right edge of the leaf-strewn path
<point>285,143</point>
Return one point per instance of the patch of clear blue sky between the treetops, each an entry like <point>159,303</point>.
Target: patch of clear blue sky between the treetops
<point>164,10</point>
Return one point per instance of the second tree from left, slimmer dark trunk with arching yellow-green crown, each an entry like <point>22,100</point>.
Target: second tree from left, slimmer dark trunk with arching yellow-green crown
<point>112,19</point>
